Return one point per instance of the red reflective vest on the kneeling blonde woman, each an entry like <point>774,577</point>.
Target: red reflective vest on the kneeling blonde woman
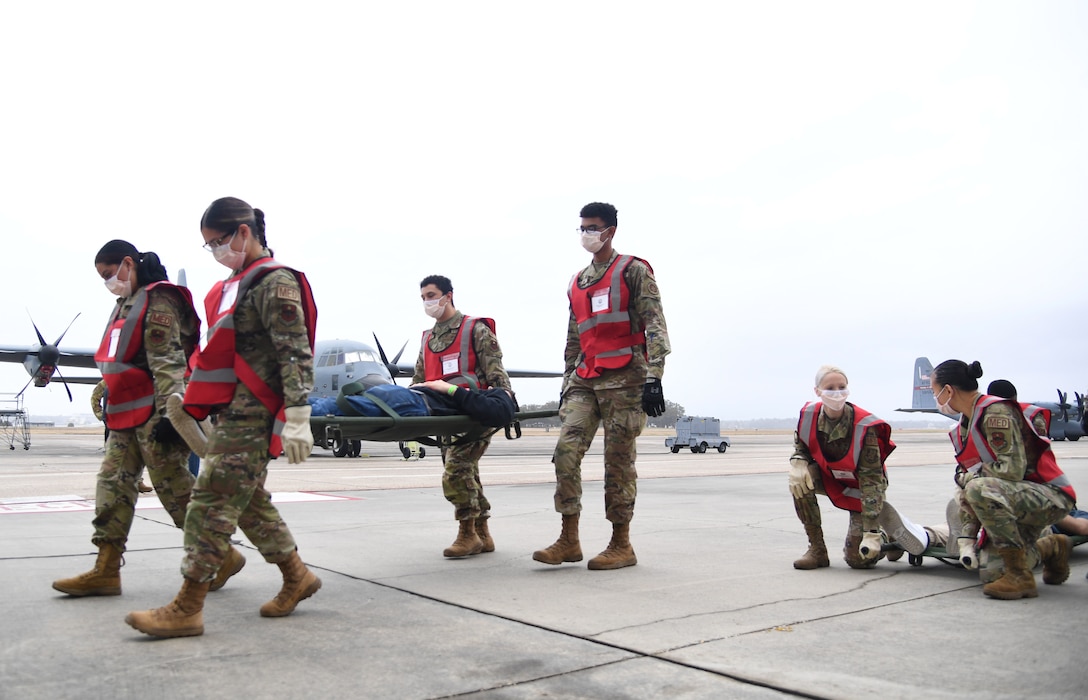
<point>840,477</point>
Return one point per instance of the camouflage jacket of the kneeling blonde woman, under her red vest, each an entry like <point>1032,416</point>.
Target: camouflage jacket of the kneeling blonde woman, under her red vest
<point>835,438</point>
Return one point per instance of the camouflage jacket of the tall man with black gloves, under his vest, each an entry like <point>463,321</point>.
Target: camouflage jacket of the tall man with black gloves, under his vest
<point>647,316</point>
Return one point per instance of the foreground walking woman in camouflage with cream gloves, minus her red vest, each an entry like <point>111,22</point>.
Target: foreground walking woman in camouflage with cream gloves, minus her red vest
<point>271,334</point>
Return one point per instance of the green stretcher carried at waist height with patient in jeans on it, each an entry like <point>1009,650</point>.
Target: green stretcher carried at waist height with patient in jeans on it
<point>437,432</point>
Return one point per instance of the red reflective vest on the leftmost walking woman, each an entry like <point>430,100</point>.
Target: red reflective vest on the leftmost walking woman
<point>130,400</point>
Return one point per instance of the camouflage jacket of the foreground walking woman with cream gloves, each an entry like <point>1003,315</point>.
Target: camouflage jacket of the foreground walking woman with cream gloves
<point>270,335</point>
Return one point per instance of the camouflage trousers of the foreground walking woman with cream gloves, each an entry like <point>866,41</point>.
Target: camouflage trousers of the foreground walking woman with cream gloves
<point>230,494</point>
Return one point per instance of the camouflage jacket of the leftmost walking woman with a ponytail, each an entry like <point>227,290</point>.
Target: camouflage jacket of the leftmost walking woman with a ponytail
<point>171,331</point>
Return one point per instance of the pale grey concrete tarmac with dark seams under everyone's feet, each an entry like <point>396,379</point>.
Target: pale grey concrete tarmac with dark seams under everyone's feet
<point>713,610</point>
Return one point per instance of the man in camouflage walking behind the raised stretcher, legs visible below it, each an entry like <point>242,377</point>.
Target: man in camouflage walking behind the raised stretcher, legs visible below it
<point>461,480</point>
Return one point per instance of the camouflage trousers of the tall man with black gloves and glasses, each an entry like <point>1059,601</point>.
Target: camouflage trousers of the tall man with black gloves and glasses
<point>585,409</point>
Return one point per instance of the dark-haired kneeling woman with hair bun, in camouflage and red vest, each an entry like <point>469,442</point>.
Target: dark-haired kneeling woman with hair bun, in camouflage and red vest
<point>1010,483</point>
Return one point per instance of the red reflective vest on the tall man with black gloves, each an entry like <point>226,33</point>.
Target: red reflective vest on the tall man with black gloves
<point>604,322</point>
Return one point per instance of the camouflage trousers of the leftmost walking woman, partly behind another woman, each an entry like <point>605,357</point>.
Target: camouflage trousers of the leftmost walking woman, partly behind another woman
<point>128,452</point>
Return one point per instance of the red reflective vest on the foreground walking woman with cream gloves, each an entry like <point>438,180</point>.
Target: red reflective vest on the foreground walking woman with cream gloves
<point>218,369</point>
